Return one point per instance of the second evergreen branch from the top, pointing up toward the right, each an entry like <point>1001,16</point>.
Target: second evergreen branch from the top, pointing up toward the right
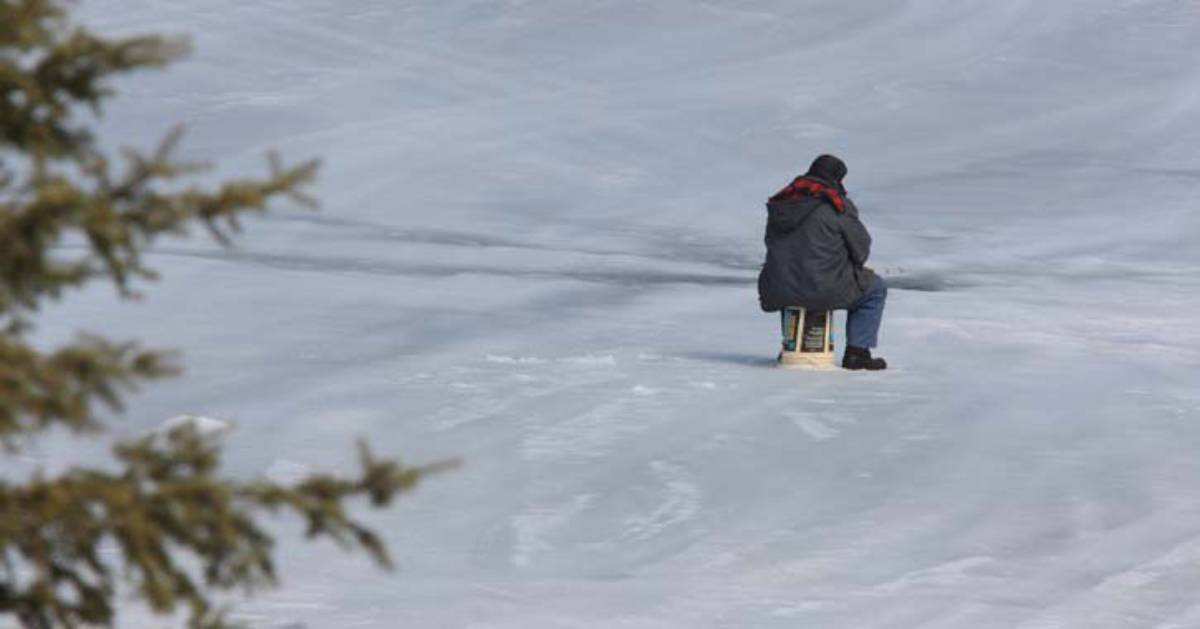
<point>119,220</point>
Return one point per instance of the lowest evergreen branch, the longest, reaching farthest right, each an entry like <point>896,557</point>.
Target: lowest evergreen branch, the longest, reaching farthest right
<point>170,504</point>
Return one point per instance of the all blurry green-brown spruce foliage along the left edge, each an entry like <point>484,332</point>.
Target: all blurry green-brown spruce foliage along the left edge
<point>166,524</point>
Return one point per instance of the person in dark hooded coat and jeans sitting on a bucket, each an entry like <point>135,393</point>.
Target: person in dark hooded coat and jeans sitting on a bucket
<point>817,256</point>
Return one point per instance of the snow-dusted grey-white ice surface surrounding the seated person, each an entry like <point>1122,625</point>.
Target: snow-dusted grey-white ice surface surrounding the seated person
<point>541,229</point>
